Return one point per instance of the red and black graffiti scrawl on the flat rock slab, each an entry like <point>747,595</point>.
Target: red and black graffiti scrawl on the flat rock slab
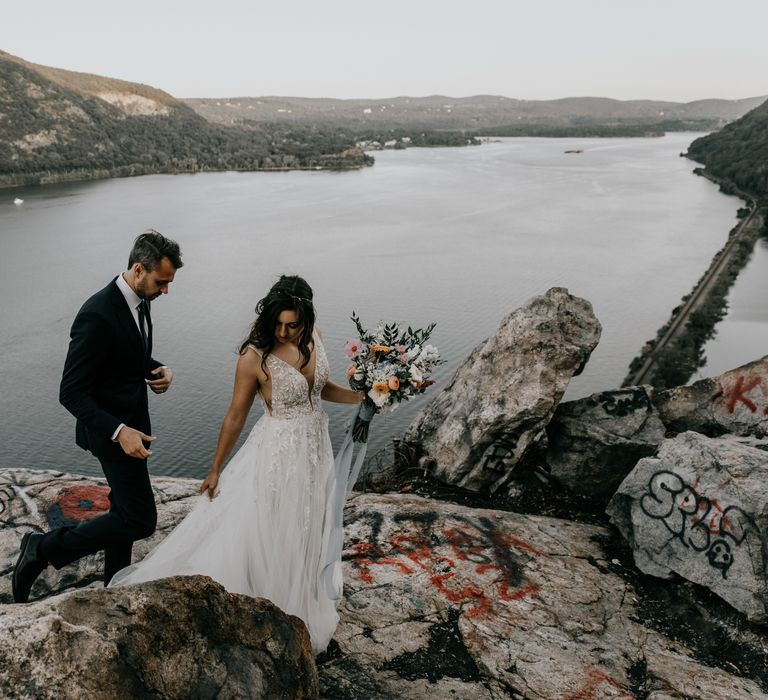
<point>416,545</point>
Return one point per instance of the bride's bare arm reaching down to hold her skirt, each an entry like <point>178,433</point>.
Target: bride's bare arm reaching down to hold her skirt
<point>247,376</point>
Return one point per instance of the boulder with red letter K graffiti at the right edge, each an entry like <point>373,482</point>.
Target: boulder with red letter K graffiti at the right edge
<point>736,402</point>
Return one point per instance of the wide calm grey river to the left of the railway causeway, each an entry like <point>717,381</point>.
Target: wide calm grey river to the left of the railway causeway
<point>459,236</point>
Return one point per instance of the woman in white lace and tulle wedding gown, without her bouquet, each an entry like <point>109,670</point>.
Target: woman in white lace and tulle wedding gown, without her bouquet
<point>266,526</point>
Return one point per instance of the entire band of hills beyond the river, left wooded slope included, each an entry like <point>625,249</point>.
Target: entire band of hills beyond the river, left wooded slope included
<point>61,125</point>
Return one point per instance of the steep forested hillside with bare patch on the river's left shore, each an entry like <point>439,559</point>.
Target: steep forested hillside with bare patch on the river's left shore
<point>57,125</point>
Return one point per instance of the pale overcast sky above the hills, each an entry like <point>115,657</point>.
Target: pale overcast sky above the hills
<point>678,50</point>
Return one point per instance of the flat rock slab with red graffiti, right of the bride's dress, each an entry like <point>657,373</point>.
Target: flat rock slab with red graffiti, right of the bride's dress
<point>442,601</point>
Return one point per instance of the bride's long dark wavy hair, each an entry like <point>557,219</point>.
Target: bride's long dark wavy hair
<point>289,293</point>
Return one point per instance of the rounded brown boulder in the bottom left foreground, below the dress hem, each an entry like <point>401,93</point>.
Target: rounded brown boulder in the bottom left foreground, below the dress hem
<point>183,637</point>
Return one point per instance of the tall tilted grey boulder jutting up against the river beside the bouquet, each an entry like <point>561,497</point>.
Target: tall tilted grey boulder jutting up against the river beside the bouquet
<point>504,394</point>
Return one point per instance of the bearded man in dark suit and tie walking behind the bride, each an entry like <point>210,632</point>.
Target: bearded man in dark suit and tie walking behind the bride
<point>106,374</point>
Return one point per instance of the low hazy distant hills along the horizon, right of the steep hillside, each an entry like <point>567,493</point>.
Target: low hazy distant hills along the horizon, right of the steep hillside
<point>482,114</point>
